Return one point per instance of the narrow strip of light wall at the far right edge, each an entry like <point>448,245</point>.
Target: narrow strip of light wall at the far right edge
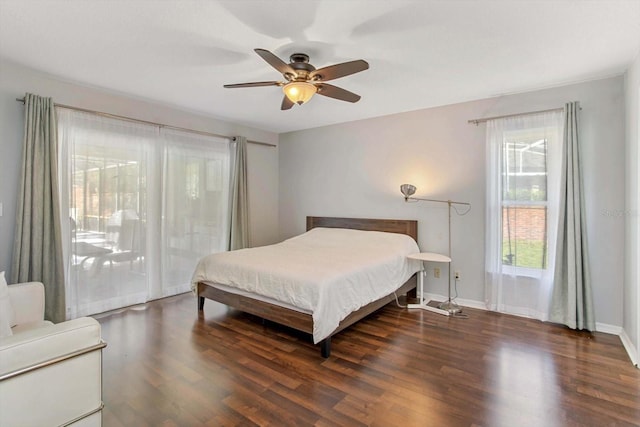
<point>631,323</point>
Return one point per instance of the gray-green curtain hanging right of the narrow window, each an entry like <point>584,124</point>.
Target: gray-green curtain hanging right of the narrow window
<point>572,301</point>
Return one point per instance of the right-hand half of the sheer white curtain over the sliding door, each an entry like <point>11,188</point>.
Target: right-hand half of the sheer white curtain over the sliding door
<point>195,205</point>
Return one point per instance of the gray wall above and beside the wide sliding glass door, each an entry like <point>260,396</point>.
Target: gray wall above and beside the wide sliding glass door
<point>16,80</point>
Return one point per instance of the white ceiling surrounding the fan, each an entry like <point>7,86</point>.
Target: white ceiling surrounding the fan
<point>421,53</point>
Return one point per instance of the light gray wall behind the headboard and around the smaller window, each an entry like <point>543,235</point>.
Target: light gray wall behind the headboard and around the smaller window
<point>355,169</point>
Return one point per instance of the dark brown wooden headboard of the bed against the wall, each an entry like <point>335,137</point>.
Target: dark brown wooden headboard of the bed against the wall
<point>400,226</point>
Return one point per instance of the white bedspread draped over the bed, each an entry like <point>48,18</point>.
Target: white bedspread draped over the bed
<point>329,272</point>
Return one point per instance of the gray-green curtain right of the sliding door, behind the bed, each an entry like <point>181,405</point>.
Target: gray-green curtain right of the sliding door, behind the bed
<point>239,232</point>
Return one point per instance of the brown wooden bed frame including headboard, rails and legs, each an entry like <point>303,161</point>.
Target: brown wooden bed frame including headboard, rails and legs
<point>302,321</point>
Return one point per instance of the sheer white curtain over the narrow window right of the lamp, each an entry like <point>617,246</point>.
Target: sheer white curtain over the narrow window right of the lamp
<point>523,179</point>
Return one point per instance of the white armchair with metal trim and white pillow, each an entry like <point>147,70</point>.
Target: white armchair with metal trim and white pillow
<point>50,374</point>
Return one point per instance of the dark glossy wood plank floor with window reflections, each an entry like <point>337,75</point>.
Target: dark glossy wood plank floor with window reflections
<point>167,366</point>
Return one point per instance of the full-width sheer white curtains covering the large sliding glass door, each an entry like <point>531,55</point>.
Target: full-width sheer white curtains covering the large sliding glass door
<point>142,205</point>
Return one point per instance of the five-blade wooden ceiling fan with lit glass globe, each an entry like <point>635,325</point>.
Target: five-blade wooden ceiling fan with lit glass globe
<point>303,80</point>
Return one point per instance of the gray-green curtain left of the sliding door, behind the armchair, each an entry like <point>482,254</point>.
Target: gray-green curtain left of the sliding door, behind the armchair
<point>37,247</point>
